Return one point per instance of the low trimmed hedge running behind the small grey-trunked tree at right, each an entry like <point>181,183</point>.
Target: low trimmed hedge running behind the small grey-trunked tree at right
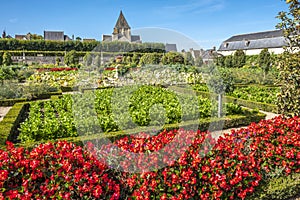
<point>249,104</point>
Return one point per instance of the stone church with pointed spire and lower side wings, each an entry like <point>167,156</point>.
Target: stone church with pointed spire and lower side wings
<point>122,32</point>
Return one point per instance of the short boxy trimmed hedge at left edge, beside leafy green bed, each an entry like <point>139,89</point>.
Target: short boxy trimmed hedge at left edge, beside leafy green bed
<point>10,123</point>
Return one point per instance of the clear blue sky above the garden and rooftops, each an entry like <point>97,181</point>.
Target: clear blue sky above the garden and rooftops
<point>205,22</point>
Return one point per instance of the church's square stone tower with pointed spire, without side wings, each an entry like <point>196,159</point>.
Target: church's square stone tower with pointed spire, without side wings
<point>122,30</point>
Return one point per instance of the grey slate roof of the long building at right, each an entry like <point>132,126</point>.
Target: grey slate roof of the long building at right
<point>260,40</point>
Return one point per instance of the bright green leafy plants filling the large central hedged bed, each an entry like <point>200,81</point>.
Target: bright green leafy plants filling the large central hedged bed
<point>147,106</point>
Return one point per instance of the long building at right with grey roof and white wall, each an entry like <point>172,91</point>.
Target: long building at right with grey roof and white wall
<point>253,43</point>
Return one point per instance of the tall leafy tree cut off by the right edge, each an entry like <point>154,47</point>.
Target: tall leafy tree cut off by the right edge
<point>289,63</point>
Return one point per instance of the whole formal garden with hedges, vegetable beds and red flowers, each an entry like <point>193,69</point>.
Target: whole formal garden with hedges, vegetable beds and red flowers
<point>141,126</point>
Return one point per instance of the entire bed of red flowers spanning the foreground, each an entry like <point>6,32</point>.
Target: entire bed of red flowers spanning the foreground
<point>230,168</point>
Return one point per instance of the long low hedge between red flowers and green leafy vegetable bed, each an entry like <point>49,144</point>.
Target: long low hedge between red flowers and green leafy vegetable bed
<point>203,124</point>
